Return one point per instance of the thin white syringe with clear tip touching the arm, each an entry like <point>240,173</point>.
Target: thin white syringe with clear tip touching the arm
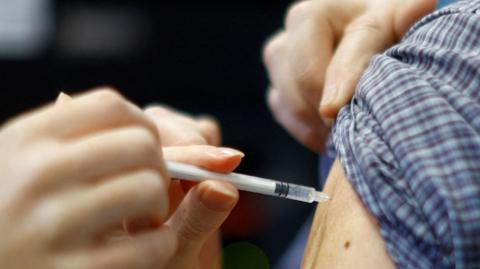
<point>248,183</point>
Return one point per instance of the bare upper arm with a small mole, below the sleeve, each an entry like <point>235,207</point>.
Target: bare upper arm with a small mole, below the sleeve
<point>343,233</point>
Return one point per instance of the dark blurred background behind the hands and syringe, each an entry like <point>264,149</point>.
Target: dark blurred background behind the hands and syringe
<point>200,57</point>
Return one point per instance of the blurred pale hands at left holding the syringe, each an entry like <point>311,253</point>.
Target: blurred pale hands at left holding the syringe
<point>93,164</point>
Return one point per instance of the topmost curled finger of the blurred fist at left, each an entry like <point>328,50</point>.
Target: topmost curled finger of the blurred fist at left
<point>88,113</point>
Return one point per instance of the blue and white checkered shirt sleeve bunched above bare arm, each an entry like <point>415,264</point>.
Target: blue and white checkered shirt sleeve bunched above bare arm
<point>410,141</point>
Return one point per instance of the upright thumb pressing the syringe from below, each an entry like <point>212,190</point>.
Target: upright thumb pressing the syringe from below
<point>200,214</point>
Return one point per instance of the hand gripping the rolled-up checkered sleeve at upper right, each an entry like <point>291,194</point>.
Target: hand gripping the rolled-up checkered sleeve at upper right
<point>315,62</point>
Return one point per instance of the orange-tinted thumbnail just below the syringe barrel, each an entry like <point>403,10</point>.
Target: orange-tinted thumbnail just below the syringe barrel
<point>218,196</point>
